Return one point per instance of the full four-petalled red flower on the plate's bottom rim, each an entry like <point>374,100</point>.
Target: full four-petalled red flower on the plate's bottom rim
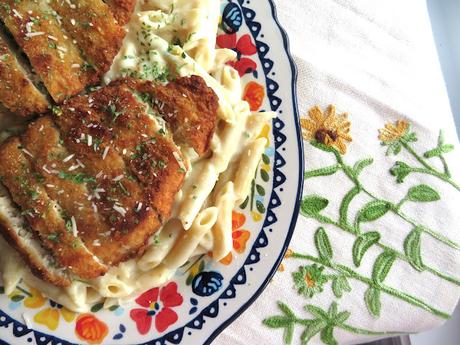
<point>158,303</point>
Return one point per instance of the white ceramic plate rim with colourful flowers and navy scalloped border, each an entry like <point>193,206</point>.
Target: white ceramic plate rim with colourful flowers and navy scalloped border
<point>205,296</point>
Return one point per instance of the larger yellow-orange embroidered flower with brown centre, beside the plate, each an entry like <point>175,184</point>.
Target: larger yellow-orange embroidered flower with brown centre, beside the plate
<point>328,128</point>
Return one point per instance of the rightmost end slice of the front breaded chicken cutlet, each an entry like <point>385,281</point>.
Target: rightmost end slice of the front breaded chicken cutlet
<point>188,105</point>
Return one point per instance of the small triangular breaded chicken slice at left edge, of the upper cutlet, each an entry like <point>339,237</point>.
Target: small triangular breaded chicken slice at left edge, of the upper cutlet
<point>15,84</point>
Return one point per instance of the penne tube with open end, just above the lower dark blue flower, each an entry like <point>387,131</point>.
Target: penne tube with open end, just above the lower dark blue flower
<point>190,239</point>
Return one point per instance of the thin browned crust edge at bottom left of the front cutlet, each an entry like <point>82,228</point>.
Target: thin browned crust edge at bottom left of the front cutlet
<point>36,263</point>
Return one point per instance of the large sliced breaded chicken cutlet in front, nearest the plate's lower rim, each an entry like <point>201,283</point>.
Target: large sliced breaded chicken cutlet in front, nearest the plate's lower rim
<point>94,180</point>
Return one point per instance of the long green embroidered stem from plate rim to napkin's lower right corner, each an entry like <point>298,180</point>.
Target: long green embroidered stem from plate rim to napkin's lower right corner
<point>390,291</point>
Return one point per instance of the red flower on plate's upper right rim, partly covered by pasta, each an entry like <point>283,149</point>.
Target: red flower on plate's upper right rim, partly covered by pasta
<point>243,47</point>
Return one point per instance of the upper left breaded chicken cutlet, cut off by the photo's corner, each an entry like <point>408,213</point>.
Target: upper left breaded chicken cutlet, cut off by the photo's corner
<point>69,45</point>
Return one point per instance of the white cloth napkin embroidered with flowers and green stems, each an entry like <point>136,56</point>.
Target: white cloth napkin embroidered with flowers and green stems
<point>375,60</point>
